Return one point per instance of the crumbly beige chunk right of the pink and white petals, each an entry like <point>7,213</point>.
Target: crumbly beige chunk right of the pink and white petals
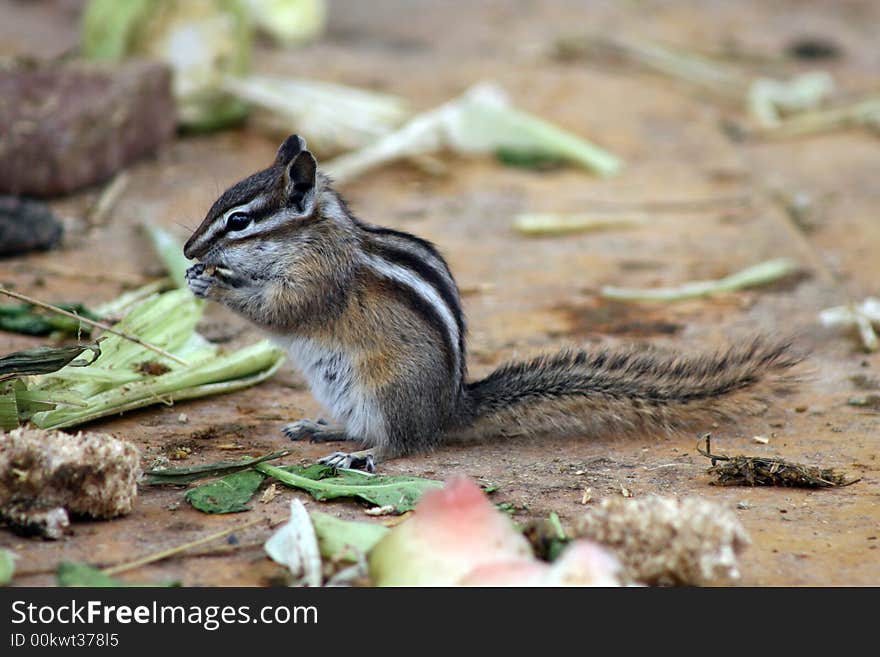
<point>666,541</point>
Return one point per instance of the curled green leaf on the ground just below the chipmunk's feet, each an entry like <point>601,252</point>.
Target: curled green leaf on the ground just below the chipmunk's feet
<point>400,493</point>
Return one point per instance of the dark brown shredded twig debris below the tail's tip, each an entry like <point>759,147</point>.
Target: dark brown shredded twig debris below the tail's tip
<point>763,471</point>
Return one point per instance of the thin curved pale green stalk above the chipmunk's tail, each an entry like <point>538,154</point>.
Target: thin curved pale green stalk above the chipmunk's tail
<point>760,274</point>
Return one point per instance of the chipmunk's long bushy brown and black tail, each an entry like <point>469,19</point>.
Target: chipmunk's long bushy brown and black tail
<point>615,391</point>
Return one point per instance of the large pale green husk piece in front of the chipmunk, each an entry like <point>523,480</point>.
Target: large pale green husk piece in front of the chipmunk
<point>125,375</point>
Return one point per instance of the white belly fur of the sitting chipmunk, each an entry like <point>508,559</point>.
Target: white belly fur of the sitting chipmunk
<point>334,384</point>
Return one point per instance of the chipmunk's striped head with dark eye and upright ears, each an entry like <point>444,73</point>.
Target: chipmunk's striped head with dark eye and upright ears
<point>267,204</point>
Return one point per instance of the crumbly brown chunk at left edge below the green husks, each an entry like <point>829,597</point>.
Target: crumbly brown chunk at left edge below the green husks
<point>46,475</point>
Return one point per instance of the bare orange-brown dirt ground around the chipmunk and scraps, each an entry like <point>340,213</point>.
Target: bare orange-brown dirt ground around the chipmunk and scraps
<point>525,295</point>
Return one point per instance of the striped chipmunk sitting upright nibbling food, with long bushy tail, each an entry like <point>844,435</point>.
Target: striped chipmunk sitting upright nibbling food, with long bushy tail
<point>372,317</point>
